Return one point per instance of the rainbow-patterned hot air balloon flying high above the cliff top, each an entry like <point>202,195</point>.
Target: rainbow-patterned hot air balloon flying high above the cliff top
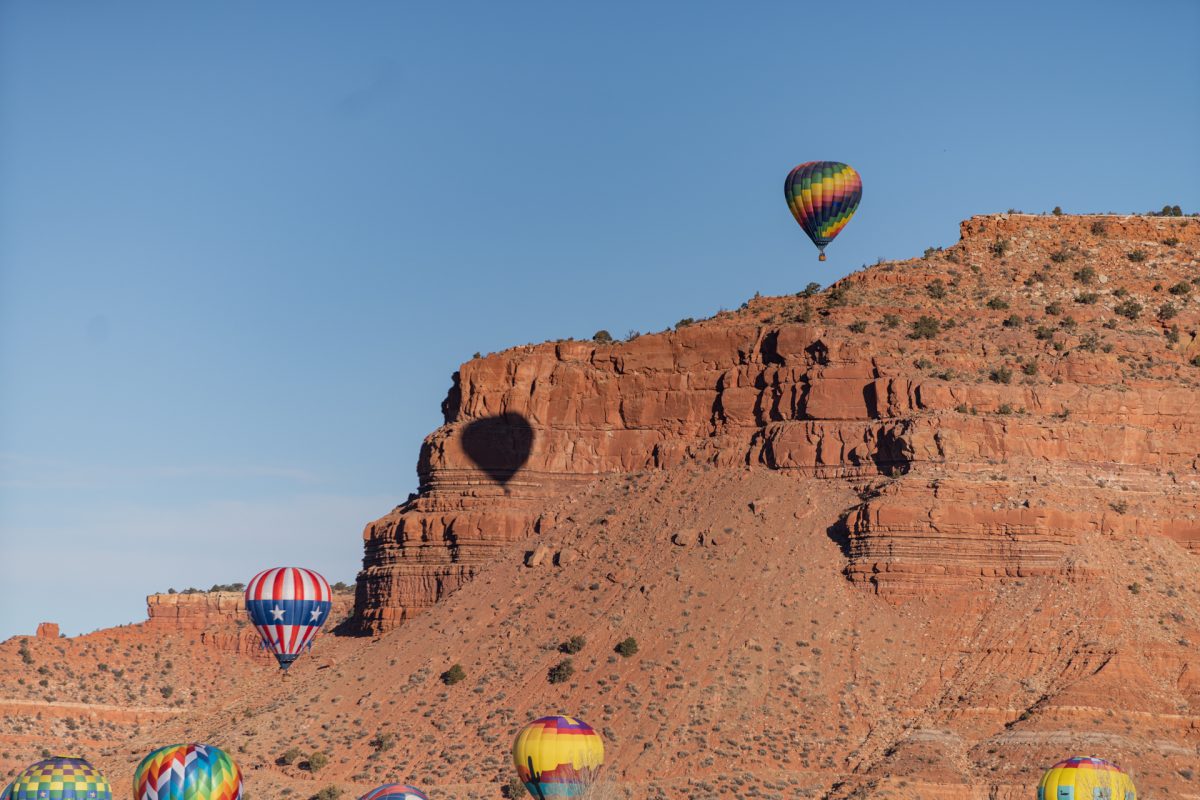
<point>824,196</point>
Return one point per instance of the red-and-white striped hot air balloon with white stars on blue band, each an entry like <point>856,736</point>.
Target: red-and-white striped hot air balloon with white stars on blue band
<point>289,605</point>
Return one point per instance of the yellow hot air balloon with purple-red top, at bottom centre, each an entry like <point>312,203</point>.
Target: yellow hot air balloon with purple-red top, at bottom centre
<point>559,757</point>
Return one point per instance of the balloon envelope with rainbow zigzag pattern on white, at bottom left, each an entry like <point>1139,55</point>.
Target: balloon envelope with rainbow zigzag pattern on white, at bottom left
<point>188,773</point>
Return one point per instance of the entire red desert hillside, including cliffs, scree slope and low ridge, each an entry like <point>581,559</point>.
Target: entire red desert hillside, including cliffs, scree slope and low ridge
<point>920,534</point>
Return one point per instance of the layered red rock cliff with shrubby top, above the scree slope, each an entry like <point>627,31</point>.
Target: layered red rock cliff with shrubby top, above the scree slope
<point>1030,386</point>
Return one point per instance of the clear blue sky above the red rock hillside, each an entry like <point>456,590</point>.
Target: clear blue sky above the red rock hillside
<point>244,246</point>
